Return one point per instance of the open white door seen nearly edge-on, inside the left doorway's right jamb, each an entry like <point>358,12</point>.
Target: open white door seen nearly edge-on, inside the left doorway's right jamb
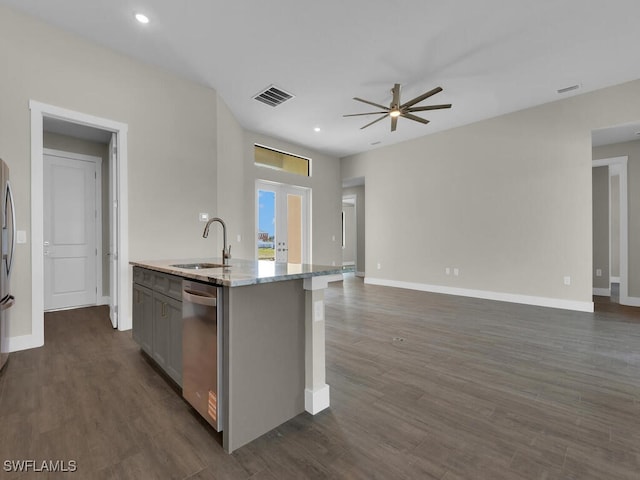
<point>113,232</point>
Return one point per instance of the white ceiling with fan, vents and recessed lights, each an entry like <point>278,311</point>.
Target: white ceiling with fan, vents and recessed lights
<point>491,56</point>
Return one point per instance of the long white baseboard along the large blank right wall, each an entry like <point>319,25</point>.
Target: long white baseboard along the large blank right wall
<point>487,295</point>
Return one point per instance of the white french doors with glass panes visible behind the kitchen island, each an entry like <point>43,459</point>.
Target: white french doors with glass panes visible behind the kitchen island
<point>283,225</point>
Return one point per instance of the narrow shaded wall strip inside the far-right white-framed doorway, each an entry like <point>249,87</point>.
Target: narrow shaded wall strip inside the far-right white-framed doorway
<point>600,182</point>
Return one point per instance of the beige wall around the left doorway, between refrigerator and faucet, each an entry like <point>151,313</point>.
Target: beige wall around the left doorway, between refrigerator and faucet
<point>172,138</point>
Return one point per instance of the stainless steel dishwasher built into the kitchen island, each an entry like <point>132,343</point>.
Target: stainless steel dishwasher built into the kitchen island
<point>202,349</point>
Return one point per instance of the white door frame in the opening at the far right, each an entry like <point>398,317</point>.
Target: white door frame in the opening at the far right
<point>619,164</point>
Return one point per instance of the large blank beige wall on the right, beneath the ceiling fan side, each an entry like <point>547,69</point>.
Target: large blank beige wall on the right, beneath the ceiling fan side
<point>506,200</point>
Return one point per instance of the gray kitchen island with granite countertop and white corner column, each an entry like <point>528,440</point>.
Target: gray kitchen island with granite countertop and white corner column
<point>273,345</point>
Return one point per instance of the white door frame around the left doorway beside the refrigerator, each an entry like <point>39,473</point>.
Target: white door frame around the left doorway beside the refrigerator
<point>38,112</point>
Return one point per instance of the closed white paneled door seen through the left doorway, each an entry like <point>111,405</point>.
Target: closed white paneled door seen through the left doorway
<point>70,236</point>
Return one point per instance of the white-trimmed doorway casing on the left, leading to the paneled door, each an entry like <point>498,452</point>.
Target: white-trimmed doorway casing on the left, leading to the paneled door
<point>117,212</point>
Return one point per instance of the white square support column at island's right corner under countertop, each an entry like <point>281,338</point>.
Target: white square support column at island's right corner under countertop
<point>316,393</point>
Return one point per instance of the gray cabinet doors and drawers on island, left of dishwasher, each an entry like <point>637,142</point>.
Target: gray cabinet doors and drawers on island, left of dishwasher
<point>157,319</point>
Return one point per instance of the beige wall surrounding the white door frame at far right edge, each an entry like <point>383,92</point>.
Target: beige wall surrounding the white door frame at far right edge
<point>631,150</point>
